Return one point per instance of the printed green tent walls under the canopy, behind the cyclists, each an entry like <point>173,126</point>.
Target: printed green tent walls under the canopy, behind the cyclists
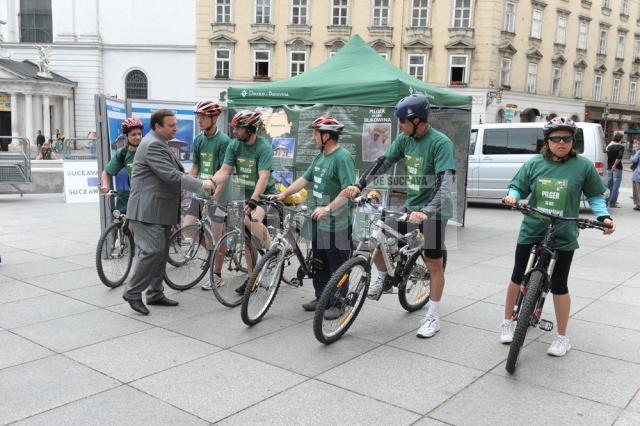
<point>368,133</point>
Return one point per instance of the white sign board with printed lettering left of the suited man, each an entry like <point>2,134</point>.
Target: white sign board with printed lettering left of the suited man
<point>81,181</point>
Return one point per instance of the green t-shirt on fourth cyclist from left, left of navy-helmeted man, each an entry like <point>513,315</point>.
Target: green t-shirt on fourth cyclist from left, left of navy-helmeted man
<point>330,174</point>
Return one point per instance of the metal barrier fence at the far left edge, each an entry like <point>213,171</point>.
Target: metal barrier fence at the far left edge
<point>15,162</point>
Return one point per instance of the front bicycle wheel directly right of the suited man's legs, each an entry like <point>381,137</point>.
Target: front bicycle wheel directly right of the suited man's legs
<point>188,257</point>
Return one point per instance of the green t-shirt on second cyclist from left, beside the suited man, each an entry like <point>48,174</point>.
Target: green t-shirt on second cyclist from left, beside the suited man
<point>208,154</point>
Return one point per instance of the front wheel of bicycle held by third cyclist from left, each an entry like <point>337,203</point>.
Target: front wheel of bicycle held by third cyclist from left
<point>232,262</point>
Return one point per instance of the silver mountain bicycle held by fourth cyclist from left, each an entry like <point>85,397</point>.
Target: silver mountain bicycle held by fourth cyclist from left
<point>268,273</point>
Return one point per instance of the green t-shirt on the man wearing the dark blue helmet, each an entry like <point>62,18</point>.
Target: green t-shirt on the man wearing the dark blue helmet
<point>424,158</point>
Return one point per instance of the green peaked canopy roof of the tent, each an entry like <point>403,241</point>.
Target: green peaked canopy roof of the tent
<point>355,75</point>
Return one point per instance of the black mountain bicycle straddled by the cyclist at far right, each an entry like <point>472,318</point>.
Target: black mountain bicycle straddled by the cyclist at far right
<point>536,282</point>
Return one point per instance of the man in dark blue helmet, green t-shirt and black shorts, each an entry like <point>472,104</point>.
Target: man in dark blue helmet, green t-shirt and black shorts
<point>430,162</point>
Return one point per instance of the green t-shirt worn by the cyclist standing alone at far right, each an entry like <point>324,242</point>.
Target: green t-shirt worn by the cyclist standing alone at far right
<point>556,187</point>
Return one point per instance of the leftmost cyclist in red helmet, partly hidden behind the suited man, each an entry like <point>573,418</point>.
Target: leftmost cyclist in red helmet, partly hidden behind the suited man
<point>123,157</point>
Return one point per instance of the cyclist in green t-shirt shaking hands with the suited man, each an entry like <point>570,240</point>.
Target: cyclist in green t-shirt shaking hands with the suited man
<point>251,157</point>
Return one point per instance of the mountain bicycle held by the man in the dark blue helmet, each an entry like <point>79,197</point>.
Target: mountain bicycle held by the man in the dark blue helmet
<point>348,286</point>
